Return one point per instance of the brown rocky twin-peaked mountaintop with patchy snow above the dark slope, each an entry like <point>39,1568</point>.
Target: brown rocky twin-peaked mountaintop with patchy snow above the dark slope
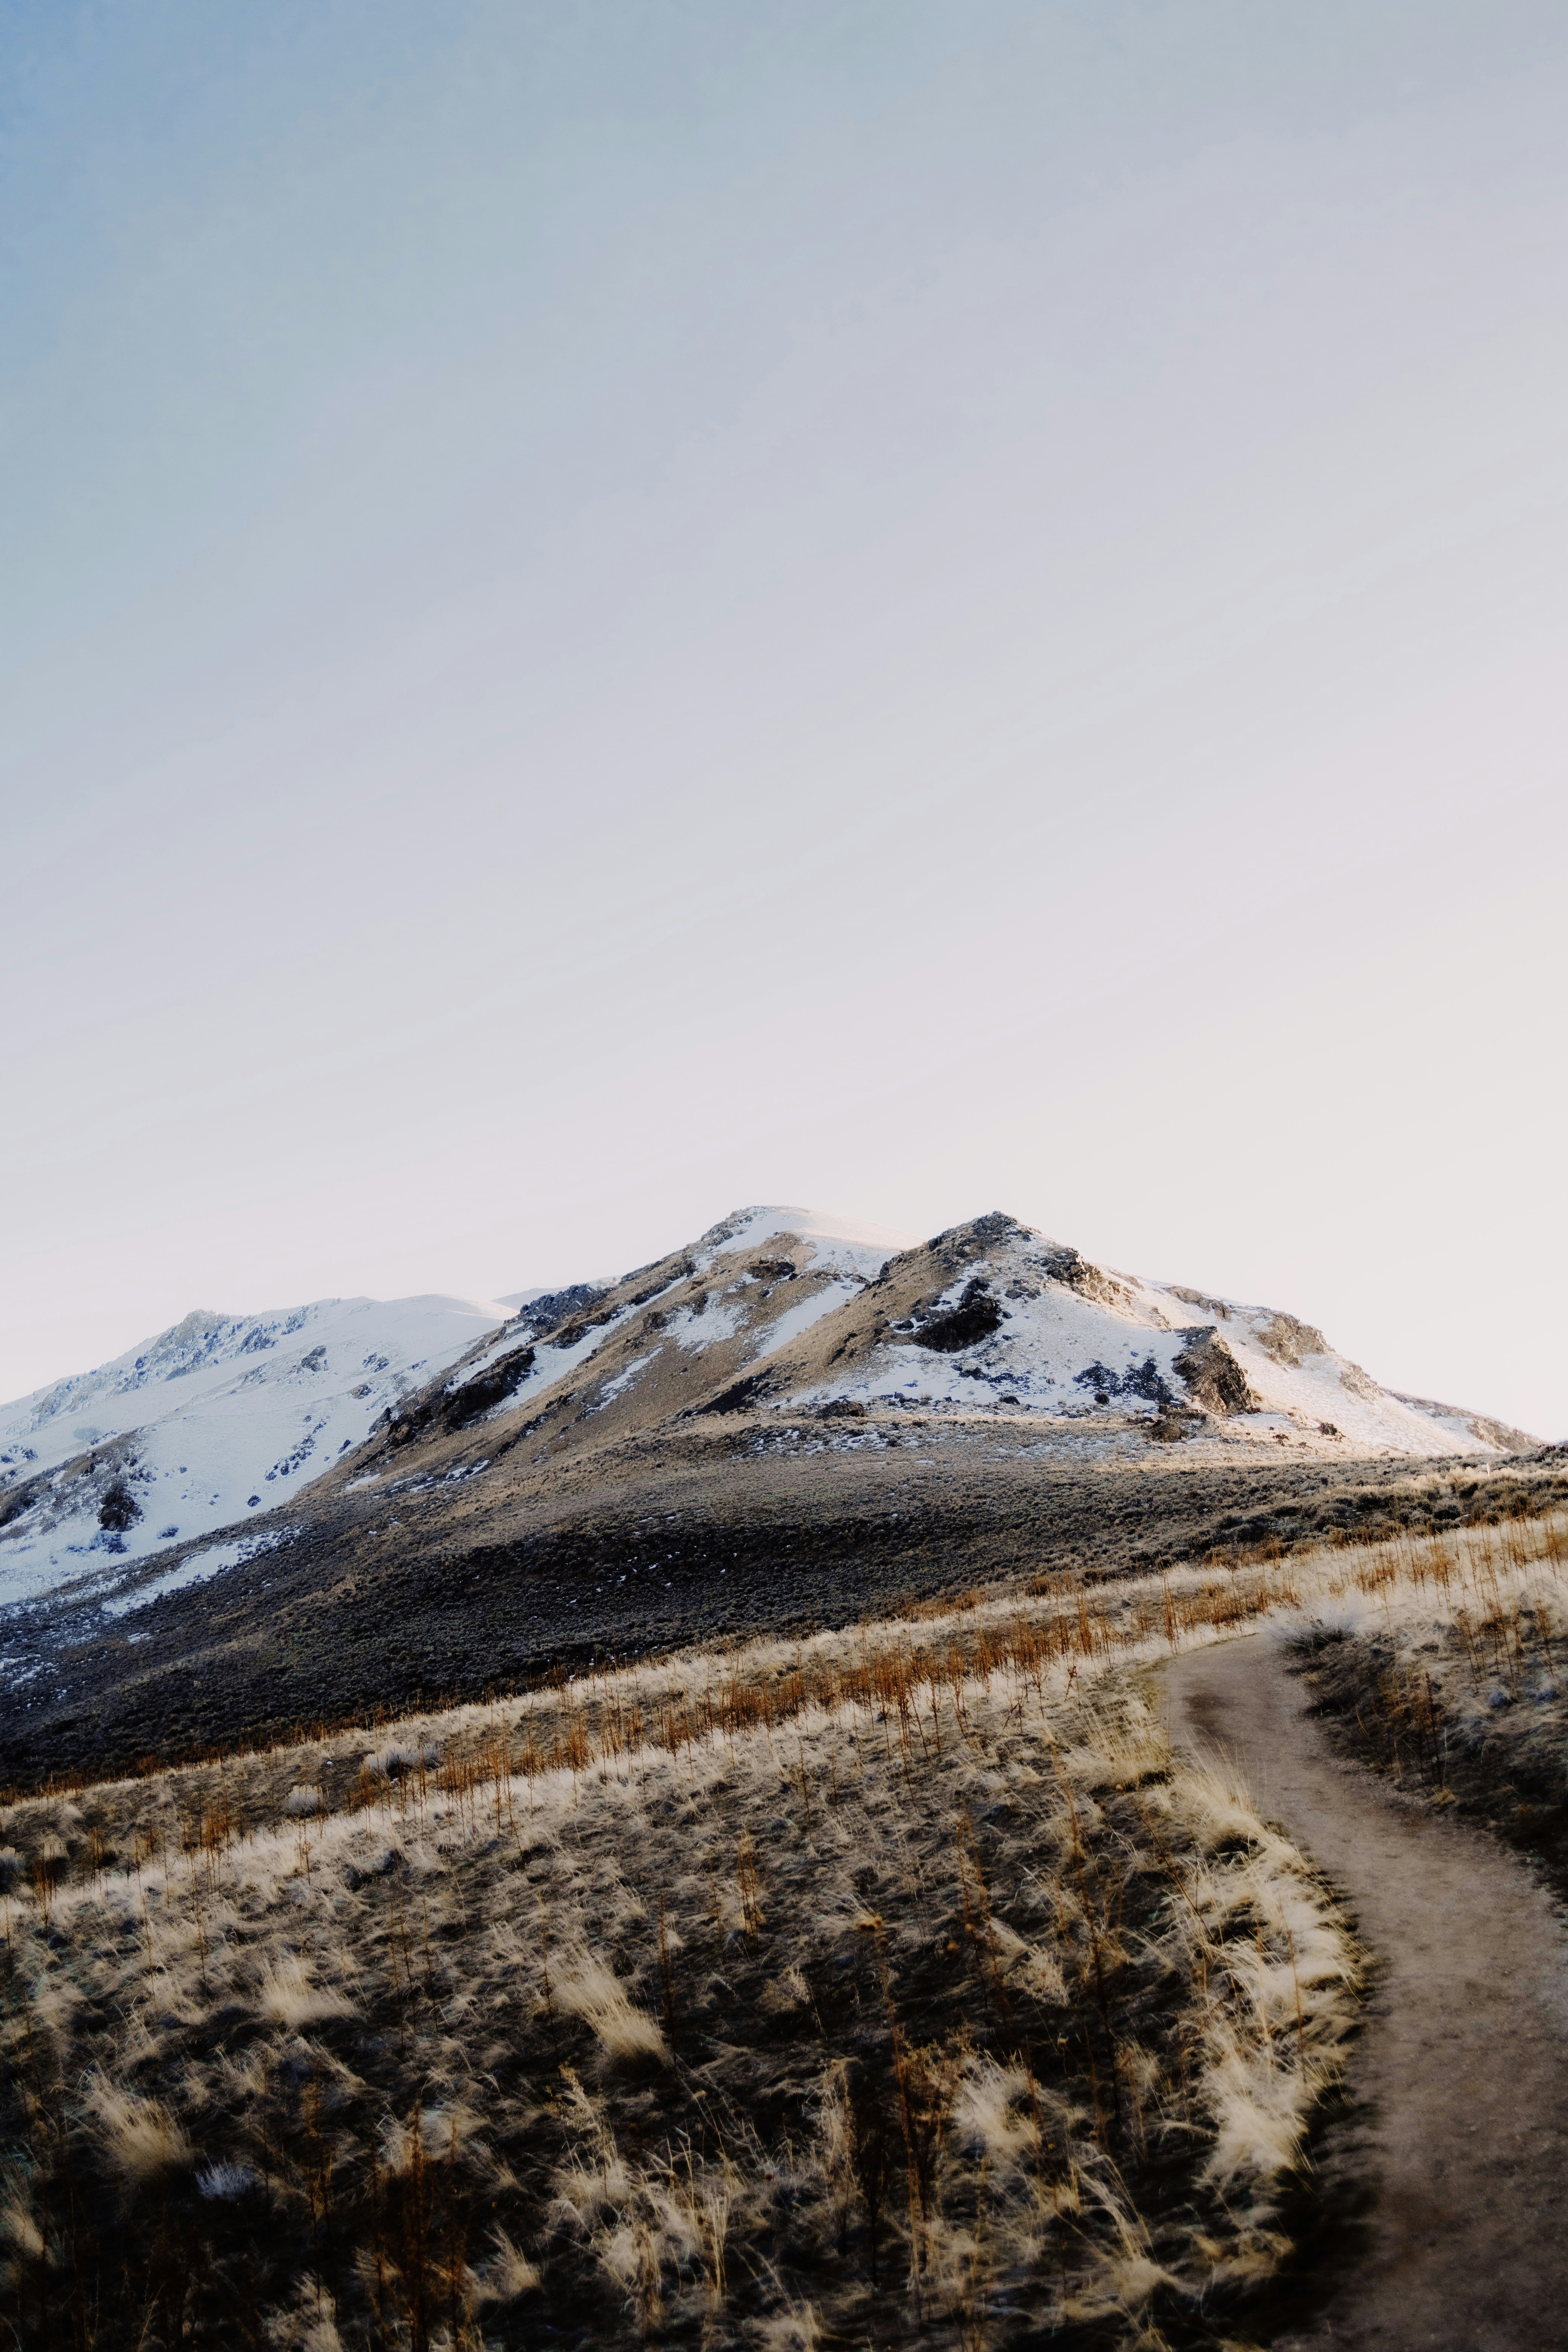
<point>800,1314</point>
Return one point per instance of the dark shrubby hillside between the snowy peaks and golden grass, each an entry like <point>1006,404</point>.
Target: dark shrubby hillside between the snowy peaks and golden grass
<point>410,1596</point>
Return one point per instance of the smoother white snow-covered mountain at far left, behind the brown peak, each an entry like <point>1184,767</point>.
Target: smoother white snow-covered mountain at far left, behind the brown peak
<point>208,1424</point>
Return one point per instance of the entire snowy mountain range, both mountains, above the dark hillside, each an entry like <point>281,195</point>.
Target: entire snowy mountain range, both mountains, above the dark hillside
<point>772,1314</point>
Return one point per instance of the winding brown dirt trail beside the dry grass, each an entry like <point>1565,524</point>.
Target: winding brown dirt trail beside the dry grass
<point>1456,2139</point>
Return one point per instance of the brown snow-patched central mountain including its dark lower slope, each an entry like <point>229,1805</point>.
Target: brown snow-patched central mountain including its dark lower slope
<point>765,1429</point>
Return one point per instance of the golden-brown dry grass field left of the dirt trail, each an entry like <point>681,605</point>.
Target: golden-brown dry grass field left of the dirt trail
<point>883,1989</point>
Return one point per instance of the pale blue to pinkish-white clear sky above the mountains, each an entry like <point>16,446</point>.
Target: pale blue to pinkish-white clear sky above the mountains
<point>622,610</point>
